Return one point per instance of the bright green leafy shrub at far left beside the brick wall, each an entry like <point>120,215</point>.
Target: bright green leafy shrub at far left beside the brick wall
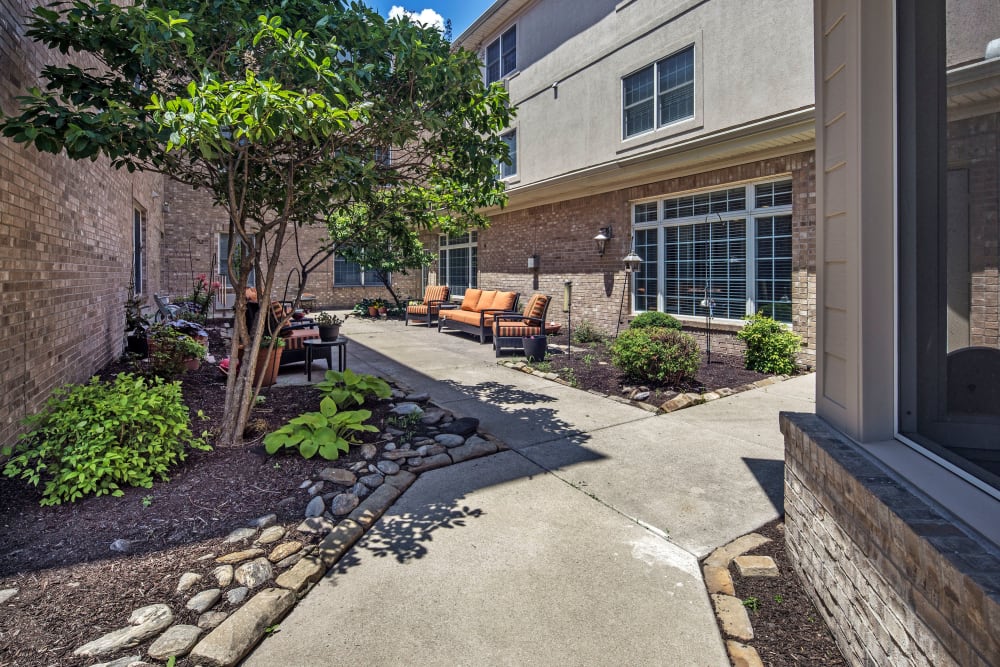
<point>99,437</point>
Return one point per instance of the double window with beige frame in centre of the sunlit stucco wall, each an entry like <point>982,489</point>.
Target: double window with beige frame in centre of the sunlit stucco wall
<point>659,94</point>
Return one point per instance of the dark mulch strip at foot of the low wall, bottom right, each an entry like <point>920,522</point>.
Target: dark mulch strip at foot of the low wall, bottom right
<point>788,630</point>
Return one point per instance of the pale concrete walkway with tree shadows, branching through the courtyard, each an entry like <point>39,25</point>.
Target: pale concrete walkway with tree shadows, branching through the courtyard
<point>578,546</point>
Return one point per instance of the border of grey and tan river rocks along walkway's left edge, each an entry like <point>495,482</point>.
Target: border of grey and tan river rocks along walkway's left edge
<point>283,570</point>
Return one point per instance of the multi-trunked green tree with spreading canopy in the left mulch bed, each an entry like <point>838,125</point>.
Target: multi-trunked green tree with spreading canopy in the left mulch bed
<point>280,110</point>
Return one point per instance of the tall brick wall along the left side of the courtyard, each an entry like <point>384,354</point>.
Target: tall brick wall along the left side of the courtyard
<point>65,250</point>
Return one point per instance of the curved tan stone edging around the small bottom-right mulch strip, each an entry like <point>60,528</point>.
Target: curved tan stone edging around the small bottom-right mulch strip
<point>729,610</point>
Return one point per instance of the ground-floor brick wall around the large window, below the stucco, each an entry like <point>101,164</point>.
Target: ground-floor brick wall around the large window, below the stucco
<point>562,236</point>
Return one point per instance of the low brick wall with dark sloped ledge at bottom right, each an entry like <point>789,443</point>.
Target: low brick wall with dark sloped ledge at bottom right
<point>898,580</point>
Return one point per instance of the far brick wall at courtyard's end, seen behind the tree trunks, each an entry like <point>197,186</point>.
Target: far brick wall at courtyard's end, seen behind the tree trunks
<point>191,247</point>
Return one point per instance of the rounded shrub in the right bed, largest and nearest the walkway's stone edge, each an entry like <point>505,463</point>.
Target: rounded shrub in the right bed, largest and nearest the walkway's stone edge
<point>656,354</point>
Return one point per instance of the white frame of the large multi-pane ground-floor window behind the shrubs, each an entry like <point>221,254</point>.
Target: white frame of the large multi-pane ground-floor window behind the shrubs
<point>749,215</point>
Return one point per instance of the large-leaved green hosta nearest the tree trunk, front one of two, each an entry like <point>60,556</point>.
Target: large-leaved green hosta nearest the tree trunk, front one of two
<point>328,432</point>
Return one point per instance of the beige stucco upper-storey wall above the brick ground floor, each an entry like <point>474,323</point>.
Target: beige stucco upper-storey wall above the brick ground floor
<point>578,123</point>
